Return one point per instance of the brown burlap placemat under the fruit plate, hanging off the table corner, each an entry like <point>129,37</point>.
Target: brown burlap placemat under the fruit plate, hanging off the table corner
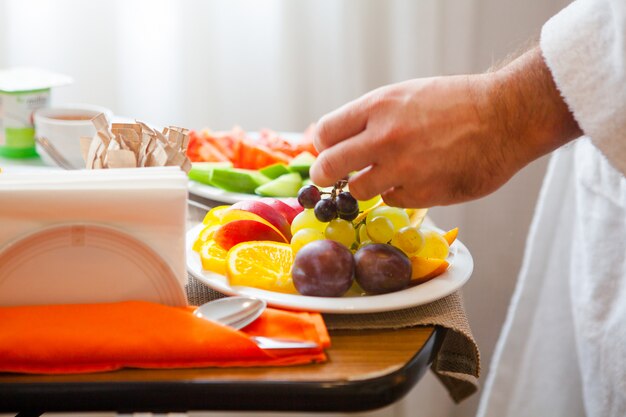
<point>457,364</point>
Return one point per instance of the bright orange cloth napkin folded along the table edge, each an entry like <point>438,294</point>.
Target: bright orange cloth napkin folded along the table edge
<point>75,338</point>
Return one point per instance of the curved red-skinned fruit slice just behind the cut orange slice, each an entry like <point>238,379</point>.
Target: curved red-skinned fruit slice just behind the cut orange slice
<point>245,230</point>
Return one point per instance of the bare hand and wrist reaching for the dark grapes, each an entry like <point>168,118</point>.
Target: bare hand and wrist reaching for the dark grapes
<point>443,140</point>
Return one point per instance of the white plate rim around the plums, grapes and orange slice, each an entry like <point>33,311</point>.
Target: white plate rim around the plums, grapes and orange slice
<point>459,271</point>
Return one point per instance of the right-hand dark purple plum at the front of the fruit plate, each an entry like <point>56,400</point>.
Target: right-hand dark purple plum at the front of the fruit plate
<point>381,268</point>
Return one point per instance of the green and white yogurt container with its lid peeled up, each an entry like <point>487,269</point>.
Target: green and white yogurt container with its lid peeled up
<point>22,92</point>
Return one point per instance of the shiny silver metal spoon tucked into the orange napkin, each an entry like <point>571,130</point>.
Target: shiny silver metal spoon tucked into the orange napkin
<point>238,312</point>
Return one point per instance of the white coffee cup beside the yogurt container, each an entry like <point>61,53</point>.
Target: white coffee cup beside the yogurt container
<point>63,126</point>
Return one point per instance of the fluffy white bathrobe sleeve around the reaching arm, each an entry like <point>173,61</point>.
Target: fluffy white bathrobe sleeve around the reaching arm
<point>584,46</point>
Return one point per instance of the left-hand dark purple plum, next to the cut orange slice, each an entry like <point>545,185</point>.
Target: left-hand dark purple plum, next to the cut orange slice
<point>323,268</point>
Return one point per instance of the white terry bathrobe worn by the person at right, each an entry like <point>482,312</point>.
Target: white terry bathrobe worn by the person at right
<point>562,351</point>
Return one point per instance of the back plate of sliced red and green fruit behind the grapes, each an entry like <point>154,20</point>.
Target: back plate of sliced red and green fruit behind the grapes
<point>235,166</point>
